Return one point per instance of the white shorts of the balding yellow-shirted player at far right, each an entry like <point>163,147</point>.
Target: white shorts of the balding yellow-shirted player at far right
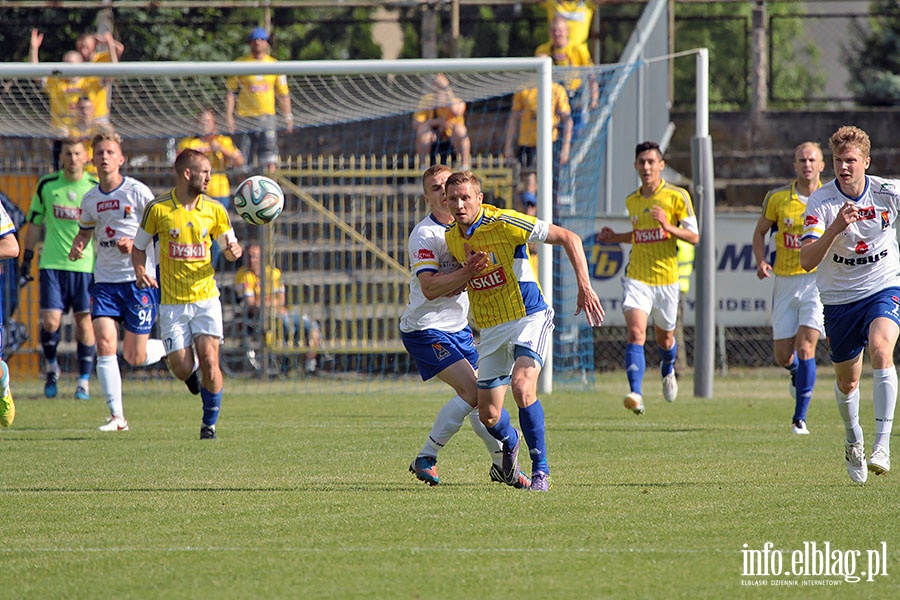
<point>796,302</point>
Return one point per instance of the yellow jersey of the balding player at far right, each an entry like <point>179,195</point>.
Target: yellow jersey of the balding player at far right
<point>786,209</point>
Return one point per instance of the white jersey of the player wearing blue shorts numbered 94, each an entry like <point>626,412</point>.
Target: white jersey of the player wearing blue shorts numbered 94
<point>115,215</point>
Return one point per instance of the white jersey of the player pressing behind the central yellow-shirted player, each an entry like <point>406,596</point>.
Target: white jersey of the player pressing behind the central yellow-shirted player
<point>428,252</point>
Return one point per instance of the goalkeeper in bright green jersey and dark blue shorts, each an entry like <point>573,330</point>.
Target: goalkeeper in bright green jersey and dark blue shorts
<point>65,284</point>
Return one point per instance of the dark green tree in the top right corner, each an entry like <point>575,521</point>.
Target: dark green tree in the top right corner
<point>876,57</point>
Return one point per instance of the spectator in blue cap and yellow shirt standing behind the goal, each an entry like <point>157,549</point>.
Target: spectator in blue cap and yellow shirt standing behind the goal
<point>254,97</point>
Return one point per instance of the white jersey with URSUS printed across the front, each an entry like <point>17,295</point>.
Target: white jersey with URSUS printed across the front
<point>864,258</point>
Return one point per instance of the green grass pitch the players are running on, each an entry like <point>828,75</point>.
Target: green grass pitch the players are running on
<point>306,494</point>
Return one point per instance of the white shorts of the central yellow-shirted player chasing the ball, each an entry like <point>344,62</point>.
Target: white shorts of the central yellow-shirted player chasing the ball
<point>497,352</point>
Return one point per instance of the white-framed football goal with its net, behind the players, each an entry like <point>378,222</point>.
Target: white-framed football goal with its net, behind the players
<point>352,180</point>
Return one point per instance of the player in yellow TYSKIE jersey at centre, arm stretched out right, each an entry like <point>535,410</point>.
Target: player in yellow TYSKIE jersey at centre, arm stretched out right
<point>509,308</point>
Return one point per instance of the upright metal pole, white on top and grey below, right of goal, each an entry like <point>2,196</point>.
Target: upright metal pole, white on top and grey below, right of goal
<point>704,198</point>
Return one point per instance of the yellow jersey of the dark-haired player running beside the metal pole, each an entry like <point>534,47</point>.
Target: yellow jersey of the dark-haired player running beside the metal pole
<point>654,253</point>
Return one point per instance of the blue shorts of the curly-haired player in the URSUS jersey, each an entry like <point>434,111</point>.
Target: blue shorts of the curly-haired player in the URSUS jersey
<point>847,325</point>
